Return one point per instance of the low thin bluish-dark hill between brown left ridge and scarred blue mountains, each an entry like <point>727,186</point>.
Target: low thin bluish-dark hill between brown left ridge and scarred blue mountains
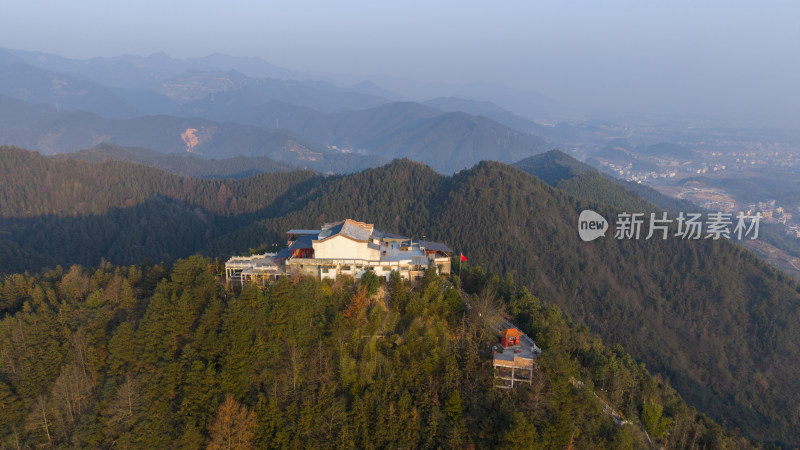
<point>183,164</point>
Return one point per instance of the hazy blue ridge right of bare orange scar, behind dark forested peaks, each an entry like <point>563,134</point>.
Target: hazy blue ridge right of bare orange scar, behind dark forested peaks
<point>448,141</point>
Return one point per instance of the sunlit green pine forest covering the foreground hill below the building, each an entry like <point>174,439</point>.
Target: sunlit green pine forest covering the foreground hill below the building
<point>155,356</point>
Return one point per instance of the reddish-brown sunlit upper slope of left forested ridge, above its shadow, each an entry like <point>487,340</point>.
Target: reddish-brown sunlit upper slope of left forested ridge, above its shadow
<point>36,185</point>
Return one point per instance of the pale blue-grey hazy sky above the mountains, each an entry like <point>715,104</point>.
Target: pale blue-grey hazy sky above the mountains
<point>708,57</point>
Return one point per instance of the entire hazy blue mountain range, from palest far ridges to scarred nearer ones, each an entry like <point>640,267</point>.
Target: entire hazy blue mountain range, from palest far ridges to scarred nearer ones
<point>221,107</point>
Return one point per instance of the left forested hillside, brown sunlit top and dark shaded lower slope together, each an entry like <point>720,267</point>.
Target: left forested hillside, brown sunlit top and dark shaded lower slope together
<point>64,212</point>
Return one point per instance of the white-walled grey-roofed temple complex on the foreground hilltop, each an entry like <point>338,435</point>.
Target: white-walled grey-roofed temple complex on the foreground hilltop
<point>347,247</point>
